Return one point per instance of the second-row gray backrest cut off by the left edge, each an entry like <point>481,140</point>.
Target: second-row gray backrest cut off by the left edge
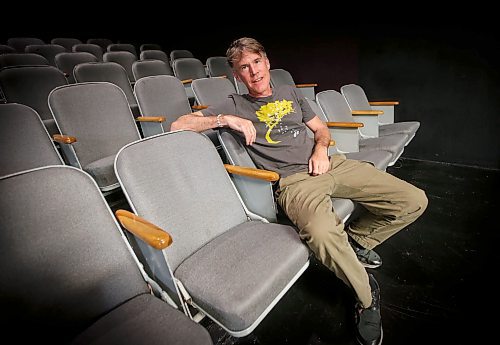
<point>24,140</point>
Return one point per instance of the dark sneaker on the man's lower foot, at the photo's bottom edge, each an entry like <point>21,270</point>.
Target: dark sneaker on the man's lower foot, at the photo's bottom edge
<point>368,320</point>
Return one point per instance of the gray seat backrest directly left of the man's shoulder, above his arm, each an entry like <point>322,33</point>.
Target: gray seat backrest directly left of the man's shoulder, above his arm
<point>211,91</point>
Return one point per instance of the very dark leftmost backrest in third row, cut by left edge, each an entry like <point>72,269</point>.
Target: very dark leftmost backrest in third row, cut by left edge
<point>30,85</point>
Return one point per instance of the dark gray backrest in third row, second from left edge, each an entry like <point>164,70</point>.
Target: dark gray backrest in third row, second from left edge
<point>111,72</point>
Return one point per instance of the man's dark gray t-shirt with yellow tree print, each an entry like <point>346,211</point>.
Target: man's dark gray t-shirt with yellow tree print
<point>282,143</point>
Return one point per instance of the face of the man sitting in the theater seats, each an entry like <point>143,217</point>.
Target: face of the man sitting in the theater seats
<point>253,70</point>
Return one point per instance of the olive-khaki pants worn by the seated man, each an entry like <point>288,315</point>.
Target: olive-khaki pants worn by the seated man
<point>391,203</point>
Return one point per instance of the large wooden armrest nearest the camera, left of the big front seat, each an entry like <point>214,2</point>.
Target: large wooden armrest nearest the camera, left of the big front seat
<point>149,233</point>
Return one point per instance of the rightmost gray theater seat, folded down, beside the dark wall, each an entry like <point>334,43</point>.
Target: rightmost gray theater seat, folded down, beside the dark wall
<point>357,100</point>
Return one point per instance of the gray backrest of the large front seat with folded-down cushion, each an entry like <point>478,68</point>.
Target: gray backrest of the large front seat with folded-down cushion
<point>165,180</point>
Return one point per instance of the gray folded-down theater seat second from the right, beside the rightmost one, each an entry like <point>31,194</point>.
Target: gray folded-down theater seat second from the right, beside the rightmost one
<point>336,109</point>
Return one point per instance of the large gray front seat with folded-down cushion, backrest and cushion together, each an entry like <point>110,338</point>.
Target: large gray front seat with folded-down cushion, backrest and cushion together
<point>234,269</point>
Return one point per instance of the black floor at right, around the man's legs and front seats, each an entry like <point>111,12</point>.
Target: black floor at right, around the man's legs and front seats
<point>438,279</point>
